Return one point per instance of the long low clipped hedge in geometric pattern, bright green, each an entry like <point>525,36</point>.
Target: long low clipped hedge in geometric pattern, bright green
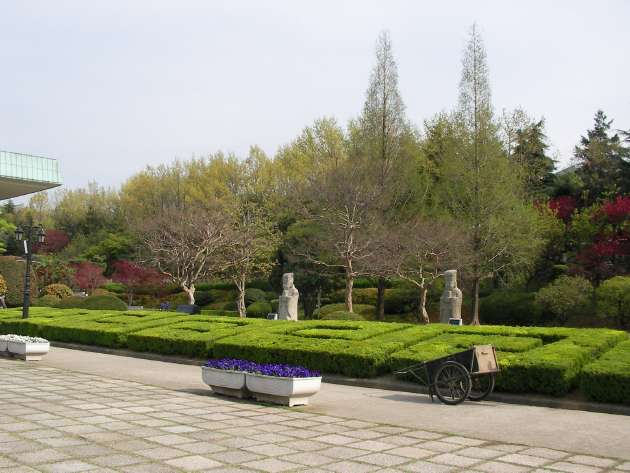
<point>533,359</point>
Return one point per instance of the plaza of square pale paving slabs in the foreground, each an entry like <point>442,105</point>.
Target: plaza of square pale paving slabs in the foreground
<point>60,420</point>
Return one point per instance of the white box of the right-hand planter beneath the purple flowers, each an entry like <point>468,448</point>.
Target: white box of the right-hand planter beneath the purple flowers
<point>286,391</point>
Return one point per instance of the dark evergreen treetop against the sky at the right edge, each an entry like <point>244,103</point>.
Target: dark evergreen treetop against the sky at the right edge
<point>602,158</point>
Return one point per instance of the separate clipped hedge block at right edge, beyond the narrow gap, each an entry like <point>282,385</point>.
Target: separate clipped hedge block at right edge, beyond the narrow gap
<point>608,378</point>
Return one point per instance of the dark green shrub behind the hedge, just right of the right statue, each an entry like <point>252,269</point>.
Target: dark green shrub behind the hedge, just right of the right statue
<point>509,308</point>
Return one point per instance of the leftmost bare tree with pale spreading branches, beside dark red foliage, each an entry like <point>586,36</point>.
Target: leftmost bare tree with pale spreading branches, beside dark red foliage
<point>187,246</point>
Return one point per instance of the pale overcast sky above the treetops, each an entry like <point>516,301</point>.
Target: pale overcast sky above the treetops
<point>108,87</point>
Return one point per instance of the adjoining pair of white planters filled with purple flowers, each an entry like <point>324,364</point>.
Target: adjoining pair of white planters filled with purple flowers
<point>279,384</point>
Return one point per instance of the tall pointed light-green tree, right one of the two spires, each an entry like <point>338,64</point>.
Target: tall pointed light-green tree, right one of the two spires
<point>482,188</point>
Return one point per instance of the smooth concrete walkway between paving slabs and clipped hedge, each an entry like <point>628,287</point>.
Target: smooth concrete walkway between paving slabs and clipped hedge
<point>570,430</point>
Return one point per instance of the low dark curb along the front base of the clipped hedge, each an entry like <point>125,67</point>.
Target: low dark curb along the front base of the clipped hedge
<point>387,382</point>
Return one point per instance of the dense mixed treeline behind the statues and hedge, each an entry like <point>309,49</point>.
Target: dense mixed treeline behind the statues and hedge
<point>380,200</point>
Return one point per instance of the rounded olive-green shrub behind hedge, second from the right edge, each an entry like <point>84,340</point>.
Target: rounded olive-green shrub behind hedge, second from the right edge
<point>565,297</point>
